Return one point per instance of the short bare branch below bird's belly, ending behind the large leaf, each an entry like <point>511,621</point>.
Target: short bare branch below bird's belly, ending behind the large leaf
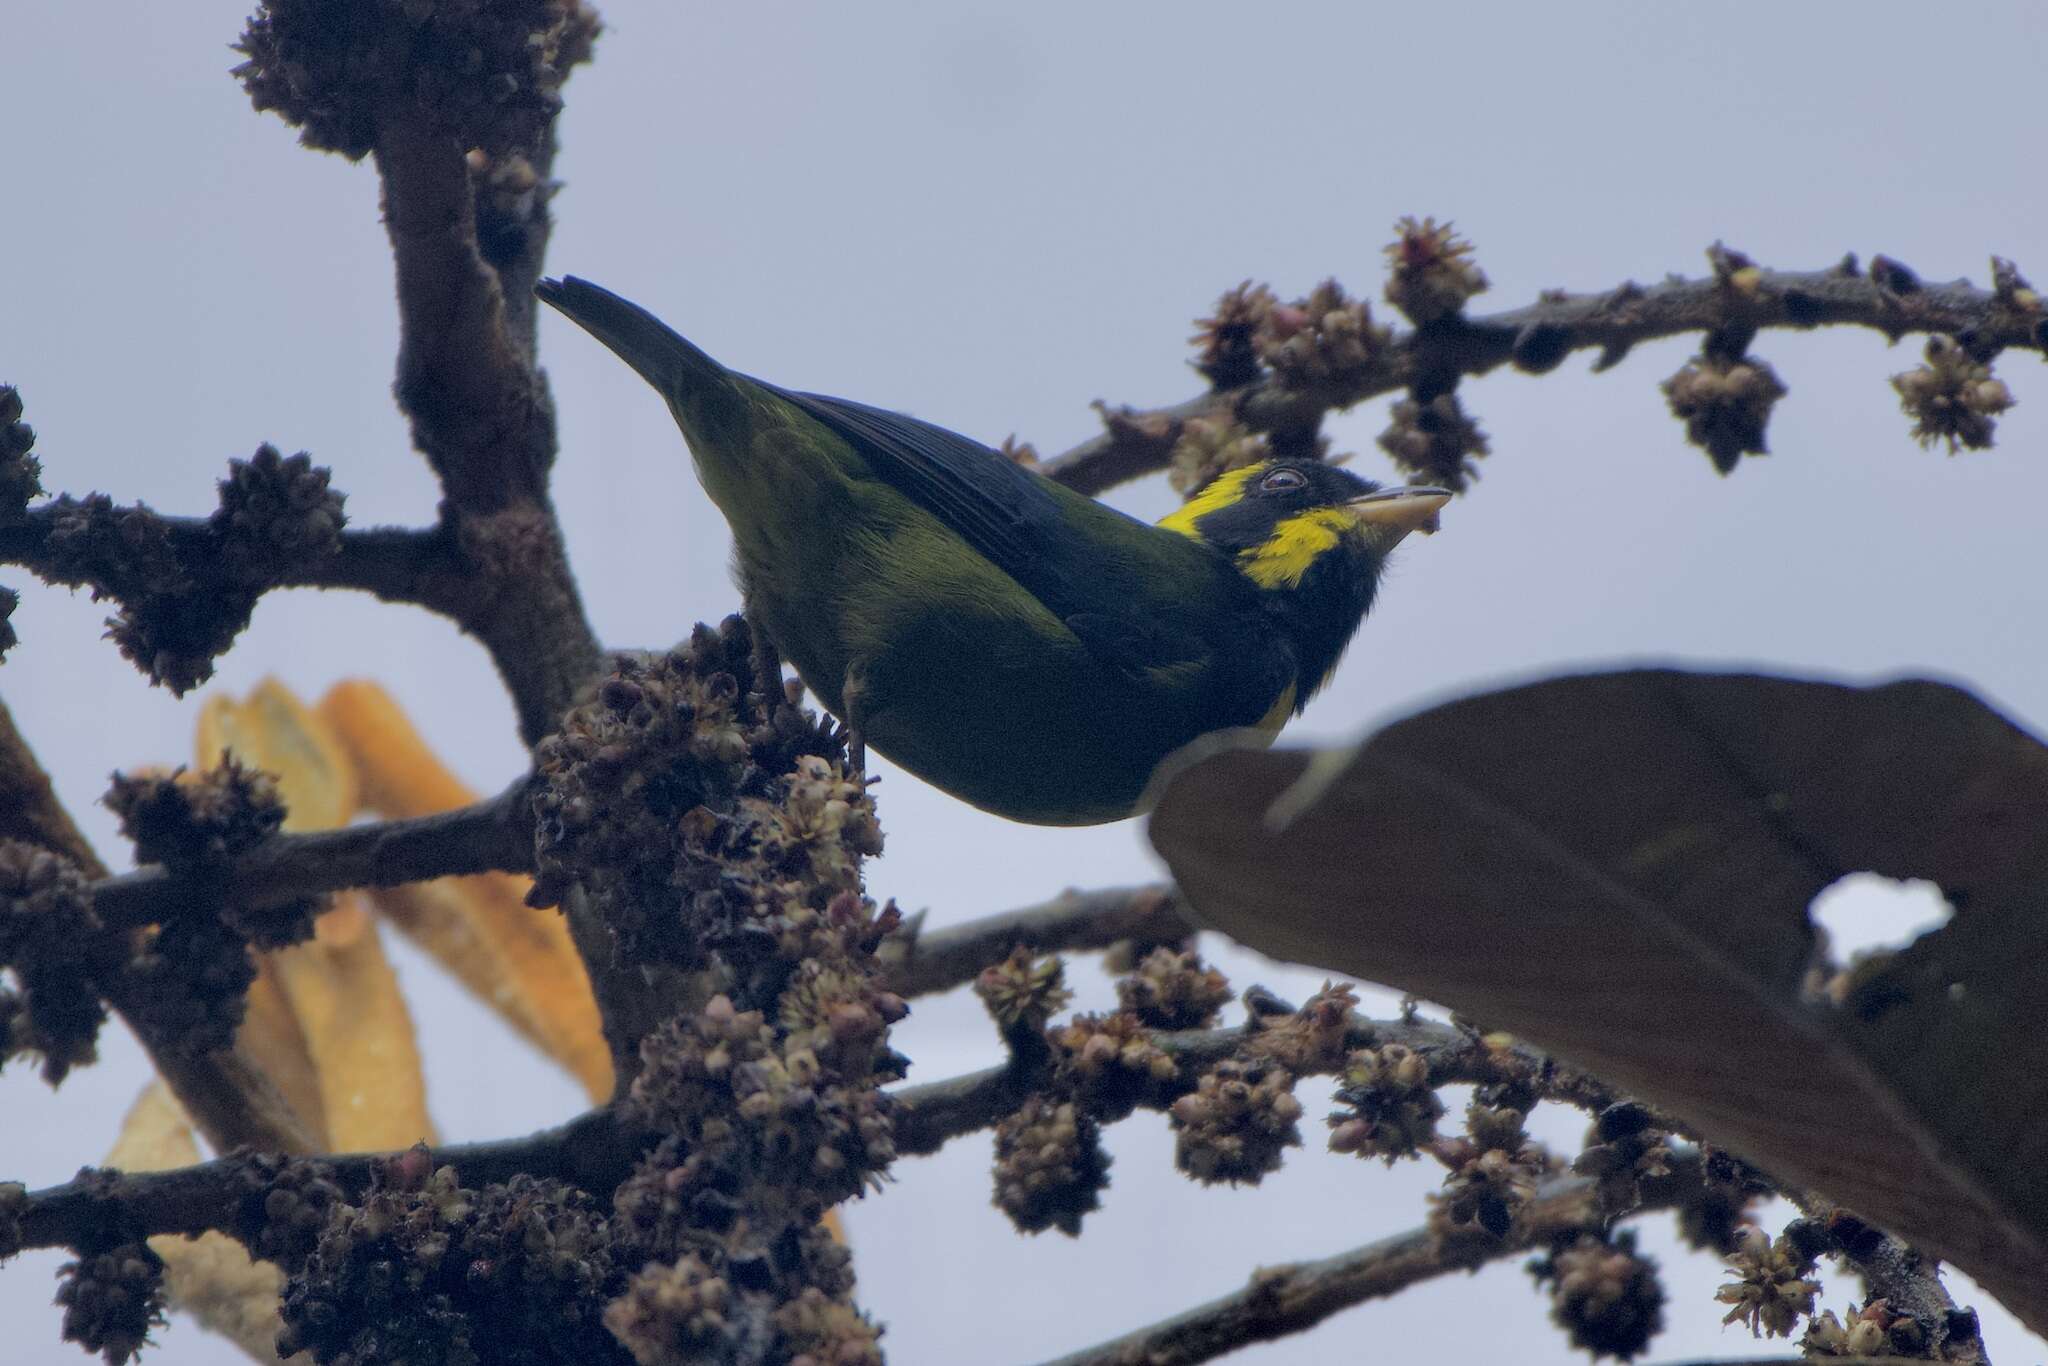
<point>923,964</point>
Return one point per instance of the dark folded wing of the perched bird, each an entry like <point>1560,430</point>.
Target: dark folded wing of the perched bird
<point>1109,577</point>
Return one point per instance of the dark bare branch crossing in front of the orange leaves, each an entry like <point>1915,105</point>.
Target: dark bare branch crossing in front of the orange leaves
<point>490,837</point>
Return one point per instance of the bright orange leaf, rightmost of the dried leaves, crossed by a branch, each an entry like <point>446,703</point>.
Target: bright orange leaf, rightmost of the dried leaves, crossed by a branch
<point>513,957</point>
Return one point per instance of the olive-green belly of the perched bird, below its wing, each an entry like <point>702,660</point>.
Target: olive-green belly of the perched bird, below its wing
<point>953,673</point>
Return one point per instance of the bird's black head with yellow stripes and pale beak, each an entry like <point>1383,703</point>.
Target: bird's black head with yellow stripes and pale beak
<point>1314,540</point>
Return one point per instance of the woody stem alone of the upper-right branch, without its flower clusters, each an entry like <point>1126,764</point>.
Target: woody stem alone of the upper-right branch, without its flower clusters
<point>1539,337</point>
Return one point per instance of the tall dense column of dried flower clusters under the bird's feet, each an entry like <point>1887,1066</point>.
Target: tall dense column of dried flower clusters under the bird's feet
<point>716,830</point>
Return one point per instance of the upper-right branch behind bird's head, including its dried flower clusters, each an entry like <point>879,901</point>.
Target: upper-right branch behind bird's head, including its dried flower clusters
<point>1277,370</point>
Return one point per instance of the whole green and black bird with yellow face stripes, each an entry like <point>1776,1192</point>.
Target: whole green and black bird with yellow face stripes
<point>996,634</point>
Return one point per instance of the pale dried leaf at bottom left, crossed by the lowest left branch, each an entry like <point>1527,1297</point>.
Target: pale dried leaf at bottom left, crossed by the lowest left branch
<point>210,1277</point>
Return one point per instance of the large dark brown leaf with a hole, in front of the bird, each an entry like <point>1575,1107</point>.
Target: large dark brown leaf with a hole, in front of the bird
<point>1619,869</point>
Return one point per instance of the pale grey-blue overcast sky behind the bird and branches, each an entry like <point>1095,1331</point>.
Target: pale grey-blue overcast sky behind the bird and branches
<point>992,216</point>
